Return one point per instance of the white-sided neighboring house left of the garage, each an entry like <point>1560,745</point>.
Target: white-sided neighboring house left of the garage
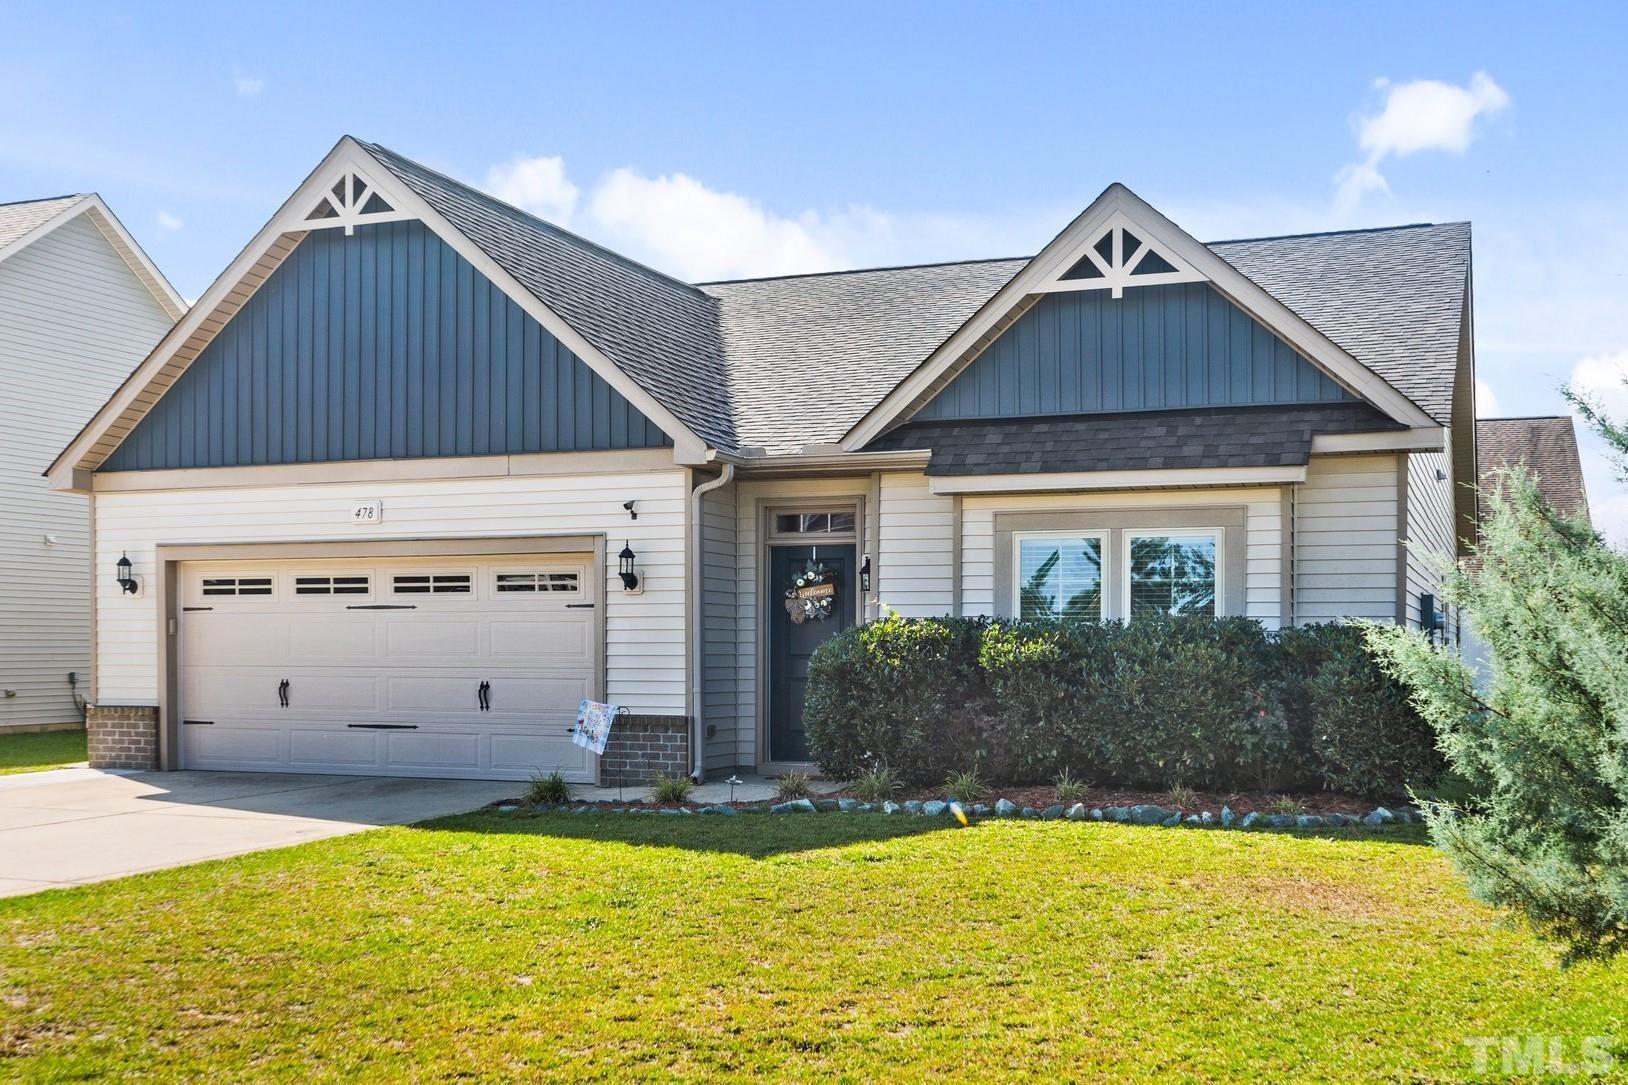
<point>81,305</point>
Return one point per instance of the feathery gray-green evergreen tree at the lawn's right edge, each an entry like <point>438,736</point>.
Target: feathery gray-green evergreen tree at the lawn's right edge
<point>1546,749</point>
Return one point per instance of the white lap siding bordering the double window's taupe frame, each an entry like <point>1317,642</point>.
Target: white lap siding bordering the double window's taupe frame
<point>1263,537</point>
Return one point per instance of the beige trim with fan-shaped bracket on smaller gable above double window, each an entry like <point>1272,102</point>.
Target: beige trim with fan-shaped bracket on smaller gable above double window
<point>1119,208</point>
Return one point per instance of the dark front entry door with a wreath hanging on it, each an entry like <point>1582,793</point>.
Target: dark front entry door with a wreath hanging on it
<point>792,644</point>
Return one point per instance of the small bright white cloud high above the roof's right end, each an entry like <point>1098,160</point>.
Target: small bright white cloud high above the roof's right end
<point>1419,116</point>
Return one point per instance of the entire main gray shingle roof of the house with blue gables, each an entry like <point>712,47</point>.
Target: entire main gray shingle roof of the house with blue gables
<point>797,361</point>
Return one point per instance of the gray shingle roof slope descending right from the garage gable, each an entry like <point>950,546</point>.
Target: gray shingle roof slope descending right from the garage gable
<point>660,332</point>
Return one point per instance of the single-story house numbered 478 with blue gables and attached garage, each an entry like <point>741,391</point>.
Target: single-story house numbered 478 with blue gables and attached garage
<point>421,472</point>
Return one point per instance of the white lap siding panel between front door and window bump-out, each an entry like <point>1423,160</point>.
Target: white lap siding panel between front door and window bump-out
<point>916,560</point>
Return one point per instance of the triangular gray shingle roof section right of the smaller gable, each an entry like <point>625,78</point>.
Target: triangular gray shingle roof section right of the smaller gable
<point>1393,299</point>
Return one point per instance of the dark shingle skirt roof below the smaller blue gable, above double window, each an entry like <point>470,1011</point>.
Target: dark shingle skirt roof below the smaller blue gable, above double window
<point>1222,437</point>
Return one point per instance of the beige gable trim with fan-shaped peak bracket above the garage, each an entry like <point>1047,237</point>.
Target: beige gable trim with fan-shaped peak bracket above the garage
<point>72,468</point>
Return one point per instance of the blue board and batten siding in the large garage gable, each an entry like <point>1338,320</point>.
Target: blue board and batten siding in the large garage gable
<point>380,346</point>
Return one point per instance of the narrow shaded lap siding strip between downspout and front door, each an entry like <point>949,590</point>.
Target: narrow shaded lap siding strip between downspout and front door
<point>720,631</point>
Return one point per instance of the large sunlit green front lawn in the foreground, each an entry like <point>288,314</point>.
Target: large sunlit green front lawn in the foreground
<point>790,949</point>
